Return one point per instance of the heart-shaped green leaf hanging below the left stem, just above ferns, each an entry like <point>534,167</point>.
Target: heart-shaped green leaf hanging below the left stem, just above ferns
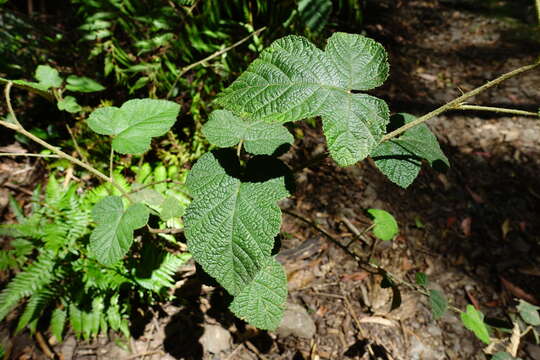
<point>113,236</point>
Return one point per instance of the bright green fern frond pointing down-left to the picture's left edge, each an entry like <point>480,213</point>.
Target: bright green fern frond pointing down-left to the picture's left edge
<point>33,278</point>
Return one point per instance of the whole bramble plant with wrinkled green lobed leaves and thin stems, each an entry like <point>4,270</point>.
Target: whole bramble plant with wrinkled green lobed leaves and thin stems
<point>233,217</point>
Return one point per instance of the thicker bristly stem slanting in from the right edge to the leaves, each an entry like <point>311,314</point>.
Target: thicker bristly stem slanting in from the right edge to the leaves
<point>457,102</point>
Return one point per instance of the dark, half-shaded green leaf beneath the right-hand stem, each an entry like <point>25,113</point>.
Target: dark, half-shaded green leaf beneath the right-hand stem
<point>400,158</point>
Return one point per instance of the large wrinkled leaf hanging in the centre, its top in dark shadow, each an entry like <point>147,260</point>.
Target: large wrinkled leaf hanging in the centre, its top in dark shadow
<point>231,224</point>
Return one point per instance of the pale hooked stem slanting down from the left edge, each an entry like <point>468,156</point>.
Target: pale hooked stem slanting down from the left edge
<point>16,126</point>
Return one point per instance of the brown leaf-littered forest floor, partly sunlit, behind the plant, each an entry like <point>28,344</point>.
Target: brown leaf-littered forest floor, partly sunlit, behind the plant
<point>473,229</point>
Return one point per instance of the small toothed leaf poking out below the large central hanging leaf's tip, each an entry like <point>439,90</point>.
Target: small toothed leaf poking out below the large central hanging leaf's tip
<point>262,301</point>
